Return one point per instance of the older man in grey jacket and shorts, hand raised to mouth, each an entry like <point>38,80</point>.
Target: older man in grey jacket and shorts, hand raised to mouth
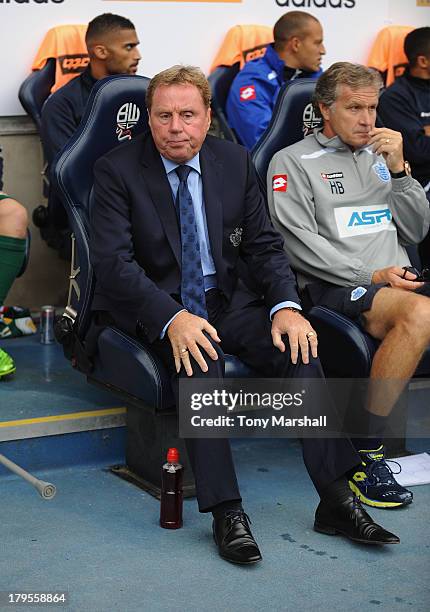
<point>346,204</point>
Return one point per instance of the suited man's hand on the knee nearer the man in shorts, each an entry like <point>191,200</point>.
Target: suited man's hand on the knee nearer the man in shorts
<point>299,331</point>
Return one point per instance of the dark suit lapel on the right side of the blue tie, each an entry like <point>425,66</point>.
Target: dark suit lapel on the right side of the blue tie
<point>212,177</point>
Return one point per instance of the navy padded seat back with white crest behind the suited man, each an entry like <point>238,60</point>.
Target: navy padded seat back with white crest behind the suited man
<point>115,112</point>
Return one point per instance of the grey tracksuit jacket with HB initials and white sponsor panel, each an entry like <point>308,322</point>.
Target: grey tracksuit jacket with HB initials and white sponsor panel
<point>341,214</point>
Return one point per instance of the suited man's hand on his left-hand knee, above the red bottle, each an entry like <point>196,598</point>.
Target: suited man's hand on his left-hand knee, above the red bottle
<point>186,336</point>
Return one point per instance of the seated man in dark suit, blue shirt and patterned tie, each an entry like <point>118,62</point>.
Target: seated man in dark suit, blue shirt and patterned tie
<point>174,210</point>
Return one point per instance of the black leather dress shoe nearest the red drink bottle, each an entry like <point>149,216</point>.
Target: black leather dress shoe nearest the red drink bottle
<point>234,539</point>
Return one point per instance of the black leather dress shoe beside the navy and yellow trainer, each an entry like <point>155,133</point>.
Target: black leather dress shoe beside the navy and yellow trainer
<point>350,519</point>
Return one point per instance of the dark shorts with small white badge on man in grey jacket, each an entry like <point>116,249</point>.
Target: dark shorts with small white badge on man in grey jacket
<point>350,301</point>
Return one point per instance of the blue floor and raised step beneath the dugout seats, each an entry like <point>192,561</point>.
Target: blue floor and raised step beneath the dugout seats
<point>99,538</point>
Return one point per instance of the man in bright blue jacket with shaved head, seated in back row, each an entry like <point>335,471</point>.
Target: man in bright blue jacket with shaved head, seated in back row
<point>296,53</point>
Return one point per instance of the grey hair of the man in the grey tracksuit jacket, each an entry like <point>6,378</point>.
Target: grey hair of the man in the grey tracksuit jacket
<point>343,73</point>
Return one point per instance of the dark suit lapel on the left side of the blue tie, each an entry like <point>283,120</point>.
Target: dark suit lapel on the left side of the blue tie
<point>161,194</point>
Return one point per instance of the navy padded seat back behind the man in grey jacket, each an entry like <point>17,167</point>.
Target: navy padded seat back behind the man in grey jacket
<point>293,118</point>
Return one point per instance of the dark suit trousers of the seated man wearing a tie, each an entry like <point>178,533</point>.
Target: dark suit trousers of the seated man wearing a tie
<point>245,332</point>
